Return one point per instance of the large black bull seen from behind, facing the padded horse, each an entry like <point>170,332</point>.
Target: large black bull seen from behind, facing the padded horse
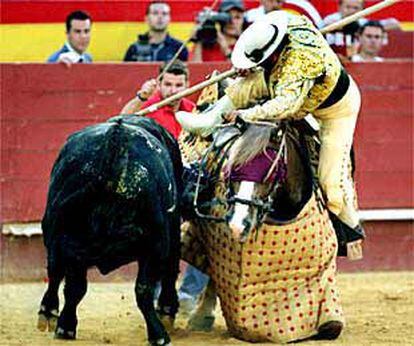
<point>113,199</point>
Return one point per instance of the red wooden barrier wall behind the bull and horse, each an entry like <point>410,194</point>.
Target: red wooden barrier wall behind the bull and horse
<point>42,104</point>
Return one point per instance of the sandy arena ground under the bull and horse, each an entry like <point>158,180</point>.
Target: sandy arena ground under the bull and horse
<point>379,309</point>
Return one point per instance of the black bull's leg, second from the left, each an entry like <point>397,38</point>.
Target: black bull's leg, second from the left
<point>74,290</point>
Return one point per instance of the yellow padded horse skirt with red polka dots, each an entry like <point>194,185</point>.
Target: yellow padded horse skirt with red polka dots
<point>278,286</point>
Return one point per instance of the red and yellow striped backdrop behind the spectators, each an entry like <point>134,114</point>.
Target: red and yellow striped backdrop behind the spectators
<point>32,30</point>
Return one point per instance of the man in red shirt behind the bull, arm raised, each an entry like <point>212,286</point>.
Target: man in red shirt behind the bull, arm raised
<point>174,80</point>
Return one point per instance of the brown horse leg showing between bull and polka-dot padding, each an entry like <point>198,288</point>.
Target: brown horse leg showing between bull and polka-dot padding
<point>202,319</point>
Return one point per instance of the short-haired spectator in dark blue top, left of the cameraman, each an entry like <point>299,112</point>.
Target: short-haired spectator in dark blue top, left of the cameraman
<point>156,44</point>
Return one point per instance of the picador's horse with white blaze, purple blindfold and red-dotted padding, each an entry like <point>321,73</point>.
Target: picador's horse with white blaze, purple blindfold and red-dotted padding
<point>265,237</point>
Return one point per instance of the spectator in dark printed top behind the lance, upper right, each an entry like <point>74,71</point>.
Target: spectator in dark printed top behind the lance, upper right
<point>344,41</point>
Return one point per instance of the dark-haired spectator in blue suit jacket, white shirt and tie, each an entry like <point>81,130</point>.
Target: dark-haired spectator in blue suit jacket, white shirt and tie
<point>78,33</point>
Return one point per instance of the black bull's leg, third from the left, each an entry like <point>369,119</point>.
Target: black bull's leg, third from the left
<point>144,292</point>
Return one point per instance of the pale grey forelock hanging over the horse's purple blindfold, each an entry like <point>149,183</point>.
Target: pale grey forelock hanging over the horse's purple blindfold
<point>254,141</point>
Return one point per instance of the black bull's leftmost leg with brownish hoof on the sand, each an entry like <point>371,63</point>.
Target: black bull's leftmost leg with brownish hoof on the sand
<point>49,306</point>
